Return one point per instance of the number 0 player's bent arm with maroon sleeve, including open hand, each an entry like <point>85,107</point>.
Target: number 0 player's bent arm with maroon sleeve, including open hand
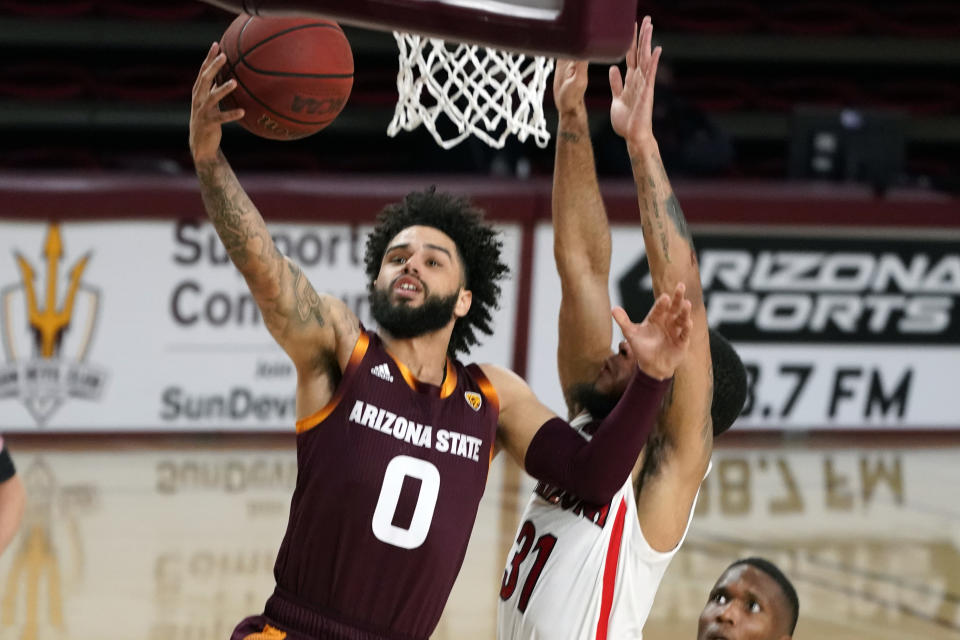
<point>553,452</point>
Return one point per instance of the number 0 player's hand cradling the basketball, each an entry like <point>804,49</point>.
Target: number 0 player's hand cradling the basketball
<point>206,118</point>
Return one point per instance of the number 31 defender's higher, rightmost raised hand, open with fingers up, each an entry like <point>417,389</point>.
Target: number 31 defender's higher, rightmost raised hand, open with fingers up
<point>631,112</point>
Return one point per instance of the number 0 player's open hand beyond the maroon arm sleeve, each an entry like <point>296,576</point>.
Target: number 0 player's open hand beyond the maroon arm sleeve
<point>660,342</point>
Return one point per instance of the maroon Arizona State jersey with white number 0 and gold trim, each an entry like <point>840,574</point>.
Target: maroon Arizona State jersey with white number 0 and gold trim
<point>391,473</point>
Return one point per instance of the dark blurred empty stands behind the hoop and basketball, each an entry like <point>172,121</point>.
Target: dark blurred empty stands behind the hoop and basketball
<point>837,90</point>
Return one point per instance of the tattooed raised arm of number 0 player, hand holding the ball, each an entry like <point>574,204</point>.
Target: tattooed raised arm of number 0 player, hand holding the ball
<point>307,325</point>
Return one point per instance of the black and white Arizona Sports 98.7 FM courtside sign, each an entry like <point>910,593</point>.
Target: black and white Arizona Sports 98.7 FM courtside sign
<point>835,332</point>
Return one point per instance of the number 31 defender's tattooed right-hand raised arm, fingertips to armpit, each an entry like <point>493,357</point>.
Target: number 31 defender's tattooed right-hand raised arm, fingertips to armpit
<point>672,474</point>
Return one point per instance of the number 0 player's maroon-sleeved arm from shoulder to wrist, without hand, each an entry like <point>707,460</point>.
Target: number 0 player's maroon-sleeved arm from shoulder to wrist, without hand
<point>553,452</point>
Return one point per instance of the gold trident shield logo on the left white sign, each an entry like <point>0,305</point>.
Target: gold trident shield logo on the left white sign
<point>47,335</point>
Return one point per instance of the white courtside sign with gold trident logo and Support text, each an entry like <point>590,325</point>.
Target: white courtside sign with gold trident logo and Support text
<point>148,326</point>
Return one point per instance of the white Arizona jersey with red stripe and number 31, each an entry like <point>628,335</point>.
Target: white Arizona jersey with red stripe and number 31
<point>578,571</point>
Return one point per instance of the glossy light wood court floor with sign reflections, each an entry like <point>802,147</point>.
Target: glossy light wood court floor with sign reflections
<point>174,538</point>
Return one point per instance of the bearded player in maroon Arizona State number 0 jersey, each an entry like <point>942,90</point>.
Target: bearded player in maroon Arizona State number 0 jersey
<point>395,437</point>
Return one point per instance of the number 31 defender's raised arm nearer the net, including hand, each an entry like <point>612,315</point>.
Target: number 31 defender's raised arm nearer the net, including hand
<point>581,237</point>
